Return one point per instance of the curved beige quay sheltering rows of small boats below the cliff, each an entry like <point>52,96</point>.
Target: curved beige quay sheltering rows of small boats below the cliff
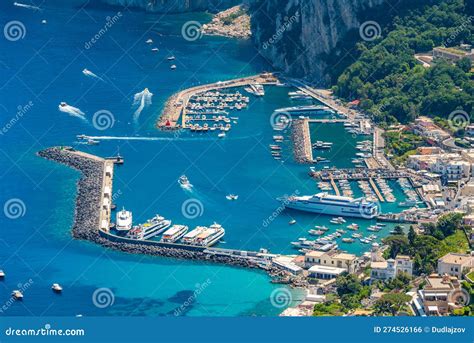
<point>175,107</point>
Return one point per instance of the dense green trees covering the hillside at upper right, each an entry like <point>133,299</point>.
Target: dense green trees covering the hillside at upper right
<point>392,85</point>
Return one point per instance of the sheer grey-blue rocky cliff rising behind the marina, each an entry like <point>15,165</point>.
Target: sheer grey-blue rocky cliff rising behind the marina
<point>294,35</point>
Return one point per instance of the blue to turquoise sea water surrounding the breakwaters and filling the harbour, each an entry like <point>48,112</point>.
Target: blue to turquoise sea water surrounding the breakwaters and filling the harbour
<point>44,68</point>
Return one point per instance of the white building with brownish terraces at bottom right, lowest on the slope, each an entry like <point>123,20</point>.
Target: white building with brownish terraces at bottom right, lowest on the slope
<point>435,295</point>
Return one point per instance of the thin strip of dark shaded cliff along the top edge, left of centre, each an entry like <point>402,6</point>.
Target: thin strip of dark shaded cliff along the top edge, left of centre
<point>174,6</point>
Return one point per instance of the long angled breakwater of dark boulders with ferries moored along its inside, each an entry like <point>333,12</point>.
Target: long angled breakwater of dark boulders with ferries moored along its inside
<point>87,221</point>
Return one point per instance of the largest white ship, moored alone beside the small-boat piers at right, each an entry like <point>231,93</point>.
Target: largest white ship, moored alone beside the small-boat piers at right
<point>333,205</point>
